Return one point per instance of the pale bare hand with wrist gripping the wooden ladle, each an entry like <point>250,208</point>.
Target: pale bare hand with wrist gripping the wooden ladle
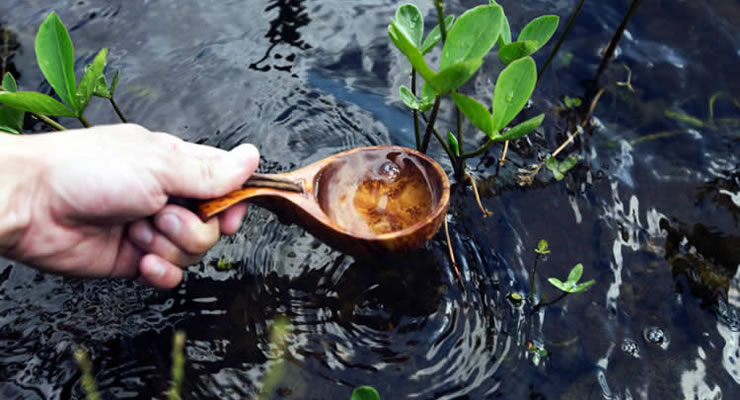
<point>94,202</point>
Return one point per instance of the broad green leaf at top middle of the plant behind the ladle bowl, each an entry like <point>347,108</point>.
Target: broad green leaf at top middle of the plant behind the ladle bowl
<point>473,35</point>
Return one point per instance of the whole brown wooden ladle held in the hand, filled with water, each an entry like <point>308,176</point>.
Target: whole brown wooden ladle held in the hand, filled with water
<point>367,200</point>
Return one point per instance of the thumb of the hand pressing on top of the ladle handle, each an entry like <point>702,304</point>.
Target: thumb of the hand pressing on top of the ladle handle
<point>211,176</point>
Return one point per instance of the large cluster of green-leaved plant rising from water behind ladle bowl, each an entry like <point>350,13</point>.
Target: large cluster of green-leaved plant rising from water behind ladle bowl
<point>466,41</point>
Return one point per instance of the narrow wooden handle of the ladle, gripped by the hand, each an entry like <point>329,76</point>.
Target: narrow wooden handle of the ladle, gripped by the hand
<point>208,208</point>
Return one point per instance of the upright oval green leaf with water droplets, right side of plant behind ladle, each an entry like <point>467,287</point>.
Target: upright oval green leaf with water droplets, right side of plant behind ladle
<point>513,88</point>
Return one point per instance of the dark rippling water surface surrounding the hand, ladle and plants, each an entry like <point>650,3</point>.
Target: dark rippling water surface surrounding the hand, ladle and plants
<point>655,221</point>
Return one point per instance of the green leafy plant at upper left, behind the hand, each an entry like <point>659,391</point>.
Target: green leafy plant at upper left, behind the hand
<point>55,57</point>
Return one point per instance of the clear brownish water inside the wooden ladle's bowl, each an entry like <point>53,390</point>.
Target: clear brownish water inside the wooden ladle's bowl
<point>375,192</point>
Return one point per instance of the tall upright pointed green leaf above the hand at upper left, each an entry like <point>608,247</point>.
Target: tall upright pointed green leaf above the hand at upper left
<point>55,56</point>
